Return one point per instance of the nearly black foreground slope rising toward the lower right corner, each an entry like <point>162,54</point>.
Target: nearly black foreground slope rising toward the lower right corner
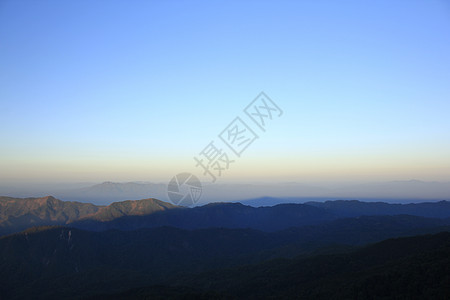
<point>406,268</point>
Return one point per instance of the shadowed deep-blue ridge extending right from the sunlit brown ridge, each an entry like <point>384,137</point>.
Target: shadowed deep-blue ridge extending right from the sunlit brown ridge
<point>278,217</point>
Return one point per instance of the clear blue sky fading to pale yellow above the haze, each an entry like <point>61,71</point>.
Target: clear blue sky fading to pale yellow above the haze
<point>133,90</point>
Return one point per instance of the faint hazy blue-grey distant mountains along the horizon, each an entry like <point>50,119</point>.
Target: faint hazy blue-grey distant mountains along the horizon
<point>255,194</point>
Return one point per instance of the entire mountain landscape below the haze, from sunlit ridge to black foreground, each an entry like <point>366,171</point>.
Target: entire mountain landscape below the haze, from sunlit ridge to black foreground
<point>138,249</point>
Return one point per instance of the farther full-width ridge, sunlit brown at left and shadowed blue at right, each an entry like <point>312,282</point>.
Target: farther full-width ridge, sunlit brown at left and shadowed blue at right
<point>17,214</point>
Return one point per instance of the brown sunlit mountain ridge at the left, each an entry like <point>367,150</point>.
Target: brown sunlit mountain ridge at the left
<point>17,214</point>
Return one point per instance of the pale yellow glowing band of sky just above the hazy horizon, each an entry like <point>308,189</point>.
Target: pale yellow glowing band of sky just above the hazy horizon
<point>306,166</point>
